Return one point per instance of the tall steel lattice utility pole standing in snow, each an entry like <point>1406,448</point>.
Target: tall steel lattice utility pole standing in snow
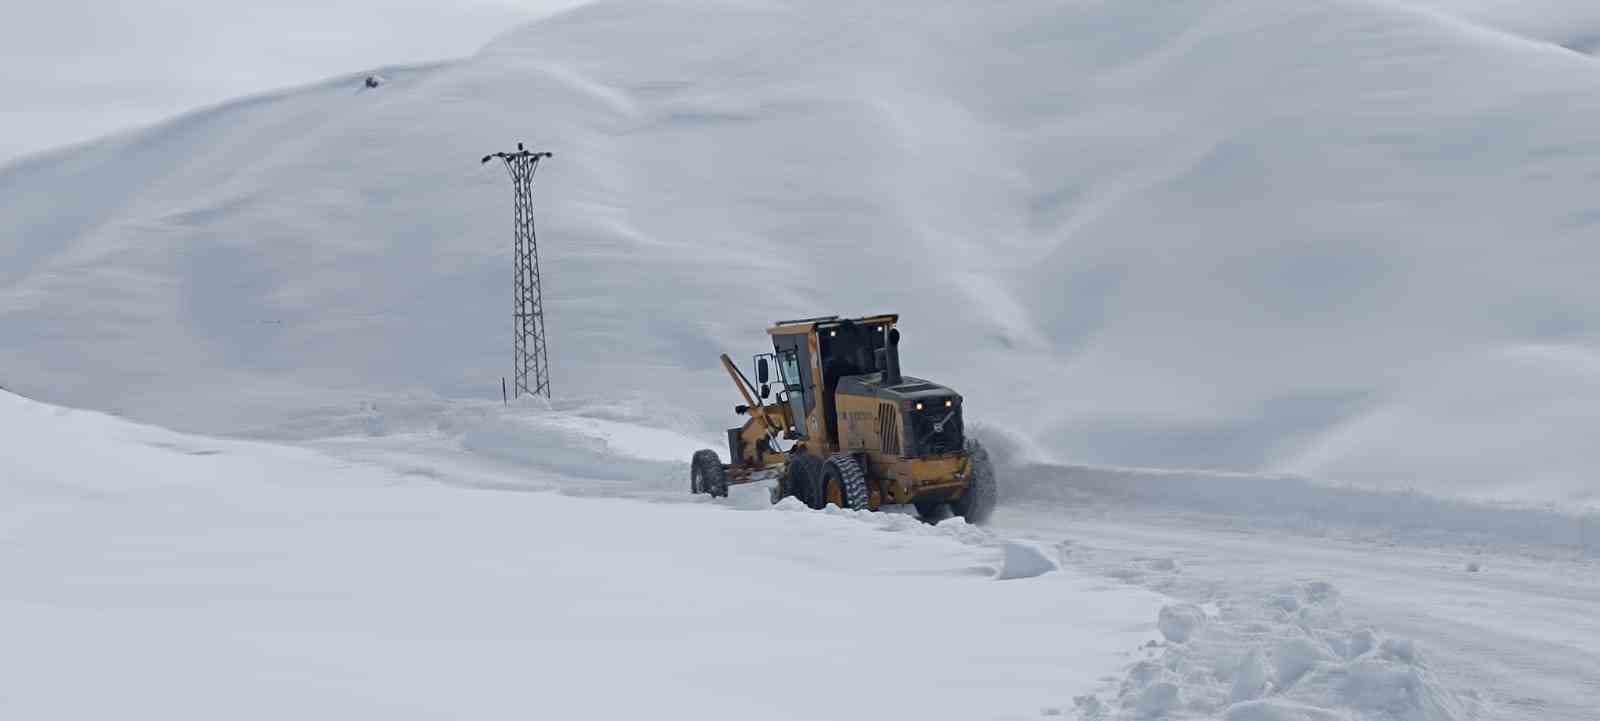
<point>532,356</point>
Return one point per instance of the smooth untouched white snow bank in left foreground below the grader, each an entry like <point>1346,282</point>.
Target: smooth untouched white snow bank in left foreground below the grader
<point>154,575</point>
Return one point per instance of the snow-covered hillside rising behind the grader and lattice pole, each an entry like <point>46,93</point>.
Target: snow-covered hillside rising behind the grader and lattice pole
<point>1348,239</point>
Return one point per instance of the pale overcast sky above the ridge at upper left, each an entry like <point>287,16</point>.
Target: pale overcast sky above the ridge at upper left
<point>78,70</point>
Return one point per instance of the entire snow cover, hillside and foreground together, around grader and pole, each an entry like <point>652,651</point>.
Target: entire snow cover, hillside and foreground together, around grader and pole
<point>1297,297</point>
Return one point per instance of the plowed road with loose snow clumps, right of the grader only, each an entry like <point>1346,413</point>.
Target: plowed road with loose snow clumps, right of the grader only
<point>1350,623</point>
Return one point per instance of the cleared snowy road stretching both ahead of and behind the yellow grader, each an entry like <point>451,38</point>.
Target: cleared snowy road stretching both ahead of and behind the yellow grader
<point>1322,603</point>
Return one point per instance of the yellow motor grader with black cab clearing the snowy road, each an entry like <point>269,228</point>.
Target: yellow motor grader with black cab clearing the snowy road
<point>858,432</point>
